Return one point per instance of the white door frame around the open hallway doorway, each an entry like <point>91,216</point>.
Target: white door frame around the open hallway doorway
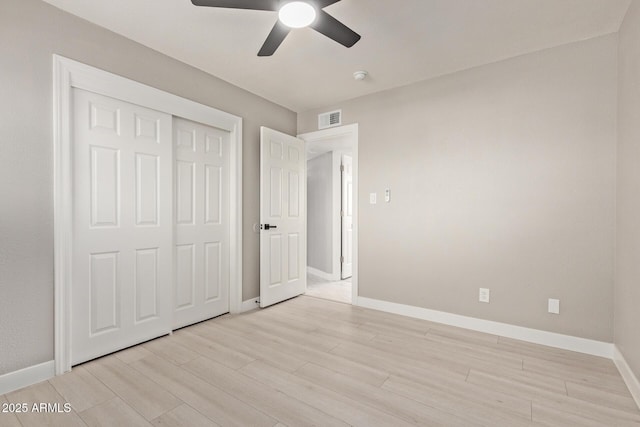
<point>351,132</point>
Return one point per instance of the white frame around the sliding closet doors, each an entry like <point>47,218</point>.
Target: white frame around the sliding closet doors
<point>69,74</point>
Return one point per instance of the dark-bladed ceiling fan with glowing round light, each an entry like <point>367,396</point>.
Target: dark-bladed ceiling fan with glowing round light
<point>292,14</point>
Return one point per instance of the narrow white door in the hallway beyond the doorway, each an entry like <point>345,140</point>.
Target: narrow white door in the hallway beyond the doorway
<point>346,258</point>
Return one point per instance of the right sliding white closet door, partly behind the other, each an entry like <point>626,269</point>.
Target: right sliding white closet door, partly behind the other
<point>202,240</point>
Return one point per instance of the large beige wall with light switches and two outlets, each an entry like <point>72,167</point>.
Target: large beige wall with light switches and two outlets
<point>502,176</point>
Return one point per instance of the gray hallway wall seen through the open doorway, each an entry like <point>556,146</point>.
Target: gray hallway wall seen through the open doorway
<point>320,212</point>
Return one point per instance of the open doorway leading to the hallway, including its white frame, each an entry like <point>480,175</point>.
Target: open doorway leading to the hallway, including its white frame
<point>332,161</point>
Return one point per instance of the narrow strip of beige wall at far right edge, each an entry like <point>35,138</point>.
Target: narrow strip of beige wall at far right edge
<point>627,289</point>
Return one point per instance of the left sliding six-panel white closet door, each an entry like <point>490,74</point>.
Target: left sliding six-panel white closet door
<point>122,225</point>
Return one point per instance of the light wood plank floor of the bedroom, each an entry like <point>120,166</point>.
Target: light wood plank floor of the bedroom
<point>310,361</point>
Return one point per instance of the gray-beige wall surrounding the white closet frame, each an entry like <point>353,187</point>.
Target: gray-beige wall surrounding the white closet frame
<point>31,31</point>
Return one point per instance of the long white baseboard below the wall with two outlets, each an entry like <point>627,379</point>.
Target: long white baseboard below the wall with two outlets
<point>551,339</point>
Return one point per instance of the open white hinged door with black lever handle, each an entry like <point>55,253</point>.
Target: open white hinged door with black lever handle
<point>283,242</point>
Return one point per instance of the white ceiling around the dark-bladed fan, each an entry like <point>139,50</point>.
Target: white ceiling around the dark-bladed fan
<point>403,41</point>
